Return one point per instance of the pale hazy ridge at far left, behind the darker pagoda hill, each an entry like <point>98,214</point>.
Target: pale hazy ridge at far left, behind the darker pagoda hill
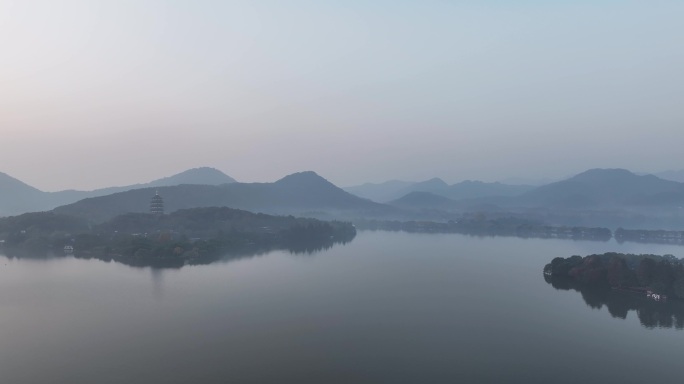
<point>17,197</point>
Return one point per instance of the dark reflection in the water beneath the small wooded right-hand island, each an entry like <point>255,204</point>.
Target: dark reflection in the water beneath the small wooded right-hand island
<point>651,313</point>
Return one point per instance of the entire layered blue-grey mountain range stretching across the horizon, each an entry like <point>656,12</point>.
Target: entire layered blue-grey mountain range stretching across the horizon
<point>614,193</point>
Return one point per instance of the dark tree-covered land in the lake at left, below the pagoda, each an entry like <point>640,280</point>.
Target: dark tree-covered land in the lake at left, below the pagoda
<point>187,236</point>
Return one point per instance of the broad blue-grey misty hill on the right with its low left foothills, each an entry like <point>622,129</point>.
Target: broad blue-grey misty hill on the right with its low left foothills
<point>606,197</point>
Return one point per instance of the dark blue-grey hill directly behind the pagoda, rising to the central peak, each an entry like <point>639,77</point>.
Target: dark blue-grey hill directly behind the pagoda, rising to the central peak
<point>299,193</point>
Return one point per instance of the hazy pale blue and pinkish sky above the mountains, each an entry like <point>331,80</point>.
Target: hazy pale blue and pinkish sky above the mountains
<point>99,93</point>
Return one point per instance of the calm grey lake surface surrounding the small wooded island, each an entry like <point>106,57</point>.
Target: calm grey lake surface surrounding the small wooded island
<point>385,308</point>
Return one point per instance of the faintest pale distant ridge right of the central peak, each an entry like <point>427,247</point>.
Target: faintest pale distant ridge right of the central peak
<point>393,190</point>
